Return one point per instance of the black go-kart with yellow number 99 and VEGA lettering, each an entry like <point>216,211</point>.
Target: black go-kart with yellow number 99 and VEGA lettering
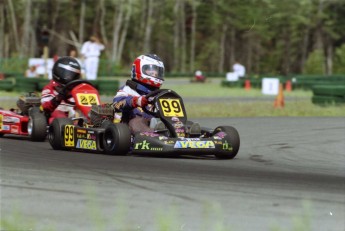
<point>176,138</point>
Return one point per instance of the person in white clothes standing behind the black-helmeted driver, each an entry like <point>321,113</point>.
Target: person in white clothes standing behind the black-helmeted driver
<point>91,50</point>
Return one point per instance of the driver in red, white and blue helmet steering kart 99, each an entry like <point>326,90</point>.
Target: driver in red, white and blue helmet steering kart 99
<point>147,76</point>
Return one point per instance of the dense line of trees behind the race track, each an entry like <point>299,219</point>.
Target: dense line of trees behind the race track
<point>267,36</point>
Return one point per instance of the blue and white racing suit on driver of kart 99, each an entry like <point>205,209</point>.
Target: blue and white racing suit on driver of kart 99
<point>124,102</point>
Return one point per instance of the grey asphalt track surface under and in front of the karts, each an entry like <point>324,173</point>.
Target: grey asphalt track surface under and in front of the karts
<point>289,173</point>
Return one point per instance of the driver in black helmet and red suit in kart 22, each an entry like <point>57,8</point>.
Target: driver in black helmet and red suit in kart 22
<point>65,70</point>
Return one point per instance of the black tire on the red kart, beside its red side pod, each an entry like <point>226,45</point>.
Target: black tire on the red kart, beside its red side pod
<point>37,125</point>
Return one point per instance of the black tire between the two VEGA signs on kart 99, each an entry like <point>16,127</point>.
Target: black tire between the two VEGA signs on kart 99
<point>117,139</point>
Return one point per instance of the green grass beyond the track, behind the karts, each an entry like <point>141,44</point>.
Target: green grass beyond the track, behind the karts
<point>240,103</point>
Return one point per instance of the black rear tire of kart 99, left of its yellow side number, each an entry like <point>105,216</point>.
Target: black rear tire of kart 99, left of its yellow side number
<point>55,132</point>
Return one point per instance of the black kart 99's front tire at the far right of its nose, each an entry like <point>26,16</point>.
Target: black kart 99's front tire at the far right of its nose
<point>233,138</point>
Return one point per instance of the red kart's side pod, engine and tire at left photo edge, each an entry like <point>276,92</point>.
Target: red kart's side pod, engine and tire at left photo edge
<point>27,120</point>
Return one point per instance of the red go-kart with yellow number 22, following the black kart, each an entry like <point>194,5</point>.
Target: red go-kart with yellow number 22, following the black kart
<point>30,120</point>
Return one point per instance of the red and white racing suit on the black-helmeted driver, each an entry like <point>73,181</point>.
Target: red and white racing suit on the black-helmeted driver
<point>52,105</point>
